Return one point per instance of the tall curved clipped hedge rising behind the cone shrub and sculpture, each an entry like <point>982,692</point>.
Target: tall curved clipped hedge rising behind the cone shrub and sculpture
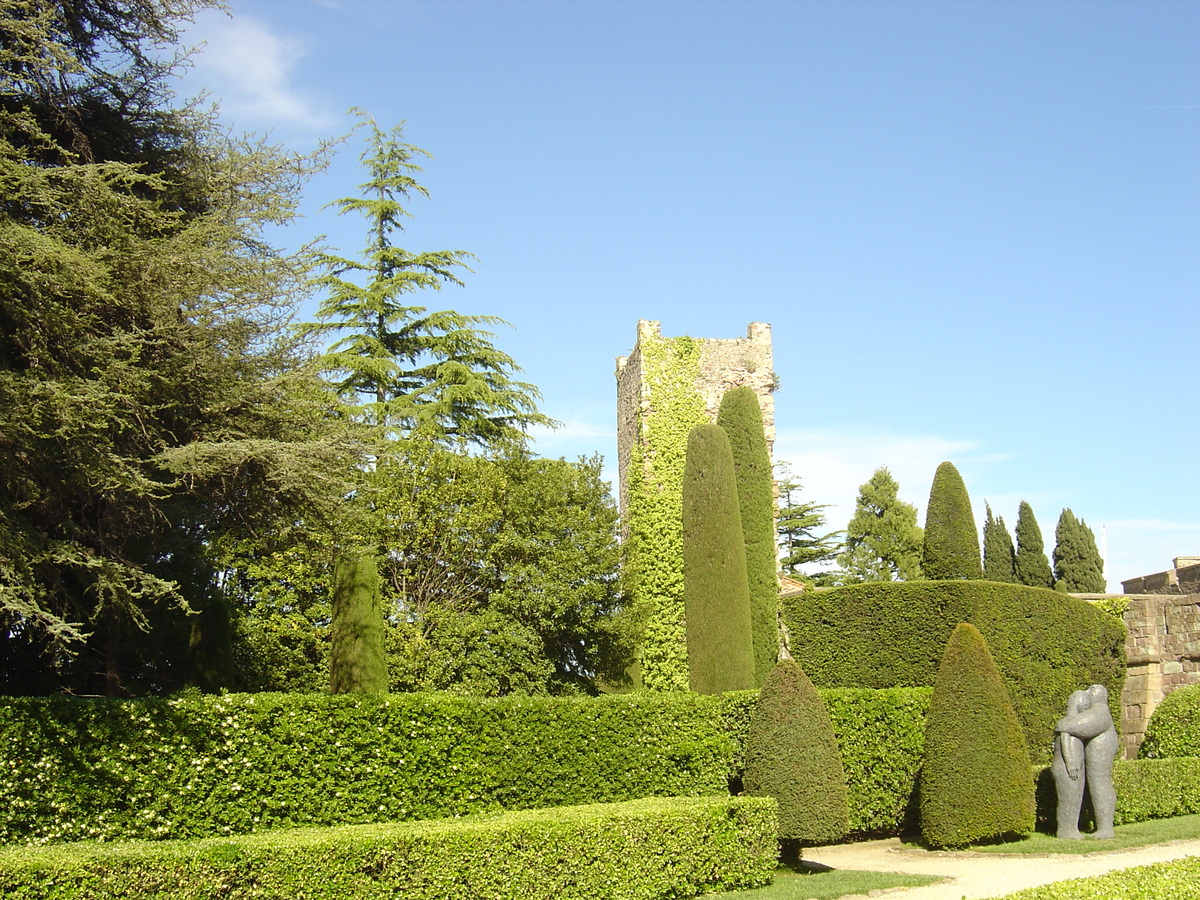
<point>893,635</point>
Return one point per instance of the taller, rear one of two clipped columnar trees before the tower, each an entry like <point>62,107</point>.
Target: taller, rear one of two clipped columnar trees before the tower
<point>742,419</point>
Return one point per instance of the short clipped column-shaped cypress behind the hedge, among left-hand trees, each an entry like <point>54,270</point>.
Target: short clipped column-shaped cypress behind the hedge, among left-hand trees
<point>357,659</point>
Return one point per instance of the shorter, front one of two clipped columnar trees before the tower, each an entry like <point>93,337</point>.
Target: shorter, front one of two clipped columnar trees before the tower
<point>716,590</point>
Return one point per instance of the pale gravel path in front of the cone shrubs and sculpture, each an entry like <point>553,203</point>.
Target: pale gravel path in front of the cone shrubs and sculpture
<point>981,875</point>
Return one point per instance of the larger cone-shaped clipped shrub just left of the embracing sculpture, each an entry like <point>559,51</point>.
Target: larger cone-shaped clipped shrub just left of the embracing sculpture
<point>976,782</point>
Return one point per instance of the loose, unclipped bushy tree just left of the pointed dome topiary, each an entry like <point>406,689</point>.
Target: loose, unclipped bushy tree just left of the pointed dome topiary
<point>883,541</point>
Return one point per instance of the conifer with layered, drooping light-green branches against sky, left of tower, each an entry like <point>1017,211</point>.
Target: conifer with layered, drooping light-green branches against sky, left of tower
<point>409,369</point>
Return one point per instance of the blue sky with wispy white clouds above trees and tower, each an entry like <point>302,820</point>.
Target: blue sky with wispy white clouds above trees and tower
<point>974,226</point>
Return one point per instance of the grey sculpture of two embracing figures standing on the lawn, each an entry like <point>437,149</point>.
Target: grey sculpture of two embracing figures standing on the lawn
<point>1084,751</point>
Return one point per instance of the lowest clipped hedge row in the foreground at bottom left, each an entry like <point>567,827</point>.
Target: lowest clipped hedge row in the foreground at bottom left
<point>641,850</point>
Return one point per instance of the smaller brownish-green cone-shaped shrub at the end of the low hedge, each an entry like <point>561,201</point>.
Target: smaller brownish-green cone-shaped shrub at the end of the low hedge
<point>793,755</point>
